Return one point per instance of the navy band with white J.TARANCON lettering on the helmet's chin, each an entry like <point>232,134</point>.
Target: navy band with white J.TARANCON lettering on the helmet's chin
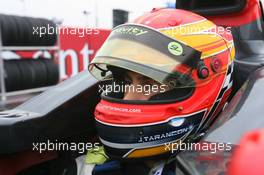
<point>142,135</point>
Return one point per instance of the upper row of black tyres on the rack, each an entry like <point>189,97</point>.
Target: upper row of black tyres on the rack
<point>25,31</point>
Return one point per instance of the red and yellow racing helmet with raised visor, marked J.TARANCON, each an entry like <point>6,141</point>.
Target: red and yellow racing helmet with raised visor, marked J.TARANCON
<point>173,47</point>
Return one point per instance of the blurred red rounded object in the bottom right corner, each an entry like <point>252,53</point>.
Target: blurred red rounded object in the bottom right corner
<point>248,156</point>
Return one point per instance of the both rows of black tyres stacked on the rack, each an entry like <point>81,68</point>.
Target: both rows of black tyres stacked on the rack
<point>28,73</point>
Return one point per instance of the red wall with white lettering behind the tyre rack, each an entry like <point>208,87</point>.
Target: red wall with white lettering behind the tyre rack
<point>76,50</point>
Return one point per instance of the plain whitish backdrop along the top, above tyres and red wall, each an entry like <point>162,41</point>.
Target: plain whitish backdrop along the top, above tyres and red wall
<point>71,11</point>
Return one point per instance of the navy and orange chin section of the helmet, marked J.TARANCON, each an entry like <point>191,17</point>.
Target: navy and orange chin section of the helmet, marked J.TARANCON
<point>144,140</point>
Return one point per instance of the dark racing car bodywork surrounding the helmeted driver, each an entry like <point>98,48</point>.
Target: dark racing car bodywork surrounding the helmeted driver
<point>64,113</point>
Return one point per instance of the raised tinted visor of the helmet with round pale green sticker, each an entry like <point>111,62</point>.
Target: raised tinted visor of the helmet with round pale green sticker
<point>148,52</point>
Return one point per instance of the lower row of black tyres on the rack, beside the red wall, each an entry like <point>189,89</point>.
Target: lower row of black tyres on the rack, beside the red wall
<point>30,73</point>
